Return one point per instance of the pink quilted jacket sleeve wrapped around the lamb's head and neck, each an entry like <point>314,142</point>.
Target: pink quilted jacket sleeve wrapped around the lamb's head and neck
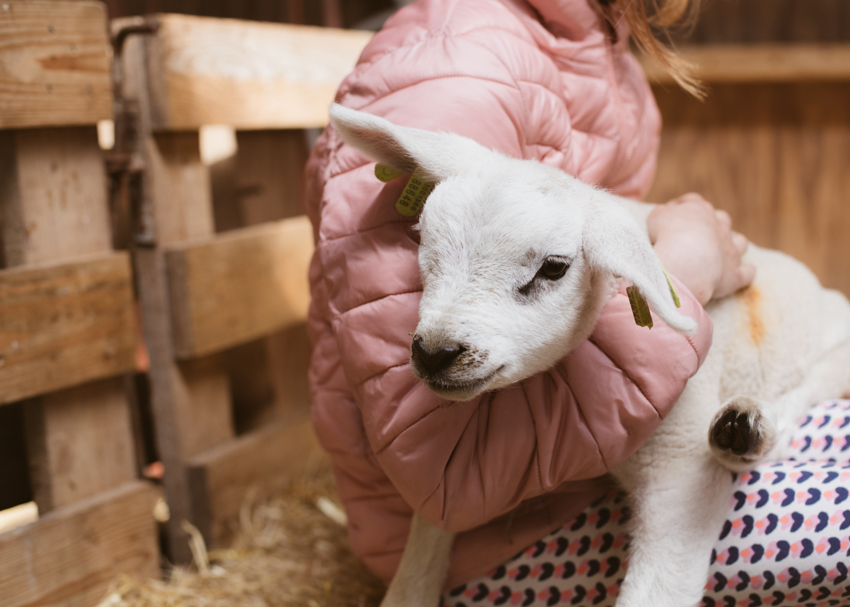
<point>460,464</point>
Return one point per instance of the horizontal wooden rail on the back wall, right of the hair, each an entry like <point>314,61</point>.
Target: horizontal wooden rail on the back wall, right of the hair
<point>762,63</point>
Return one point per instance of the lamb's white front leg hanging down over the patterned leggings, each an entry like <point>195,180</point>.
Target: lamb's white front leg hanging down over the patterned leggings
<point>678,513</point>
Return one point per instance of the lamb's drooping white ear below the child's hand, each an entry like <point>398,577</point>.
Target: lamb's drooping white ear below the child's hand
<point>613,242</point>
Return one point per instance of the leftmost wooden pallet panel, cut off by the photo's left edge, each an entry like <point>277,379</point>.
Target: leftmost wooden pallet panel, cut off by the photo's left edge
<point>67,322</point>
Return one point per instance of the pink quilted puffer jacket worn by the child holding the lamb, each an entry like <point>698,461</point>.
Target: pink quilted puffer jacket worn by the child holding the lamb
<point>533,79</point>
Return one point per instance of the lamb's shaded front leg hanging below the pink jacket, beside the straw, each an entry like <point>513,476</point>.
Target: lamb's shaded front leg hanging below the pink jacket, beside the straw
<point>422,571</point>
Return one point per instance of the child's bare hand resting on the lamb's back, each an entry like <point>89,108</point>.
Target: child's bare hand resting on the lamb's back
<point>695,242</point>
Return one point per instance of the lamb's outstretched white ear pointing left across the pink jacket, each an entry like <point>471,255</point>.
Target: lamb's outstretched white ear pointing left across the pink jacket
<point>436,156</point>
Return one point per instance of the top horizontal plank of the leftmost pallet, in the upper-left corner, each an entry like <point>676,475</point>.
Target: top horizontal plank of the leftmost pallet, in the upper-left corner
<point>55,63</point>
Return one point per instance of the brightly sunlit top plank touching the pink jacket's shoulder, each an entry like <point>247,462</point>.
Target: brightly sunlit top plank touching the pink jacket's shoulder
<point>247,74</point>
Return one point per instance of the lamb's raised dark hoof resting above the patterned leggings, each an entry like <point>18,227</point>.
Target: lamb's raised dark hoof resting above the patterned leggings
<point>741,433</point>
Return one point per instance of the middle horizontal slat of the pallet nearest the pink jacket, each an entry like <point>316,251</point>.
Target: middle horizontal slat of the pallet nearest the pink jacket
<point>239,286</point>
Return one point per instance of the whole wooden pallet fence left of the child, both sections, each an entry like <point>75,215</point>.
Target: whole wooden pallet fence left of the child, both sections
<point>221,314</point>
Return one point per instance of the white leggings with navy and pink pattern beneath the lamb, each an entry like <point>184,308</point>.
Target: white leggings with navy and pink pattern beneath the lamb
<point>786,539</point>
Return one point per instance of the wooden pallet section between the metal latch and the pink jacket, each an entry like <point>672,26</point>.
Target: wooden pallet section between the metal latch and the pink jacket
<point>223,311</point>
